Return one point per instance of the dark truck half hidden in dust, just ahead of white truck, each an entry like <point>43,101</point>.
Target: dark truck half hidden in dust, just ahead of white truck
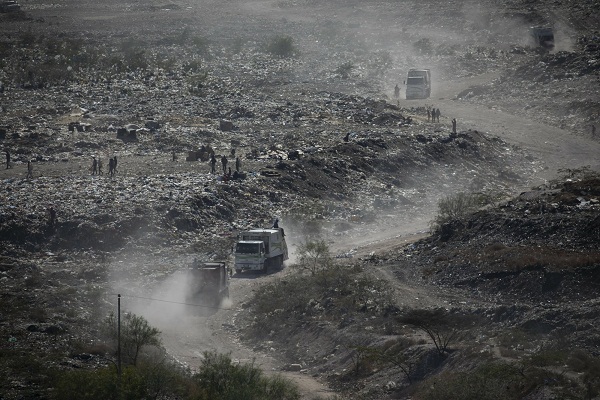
<point>208,283</point>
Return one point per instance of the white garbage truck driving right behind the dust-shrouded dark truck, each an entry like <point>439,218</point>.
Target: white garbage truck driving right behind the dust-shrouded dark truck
<point>260,249</point>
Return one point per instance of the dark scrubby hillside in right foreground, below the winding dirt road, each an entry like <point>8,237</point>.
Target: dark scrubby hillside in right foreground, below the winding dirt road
<point>506,294</point>
